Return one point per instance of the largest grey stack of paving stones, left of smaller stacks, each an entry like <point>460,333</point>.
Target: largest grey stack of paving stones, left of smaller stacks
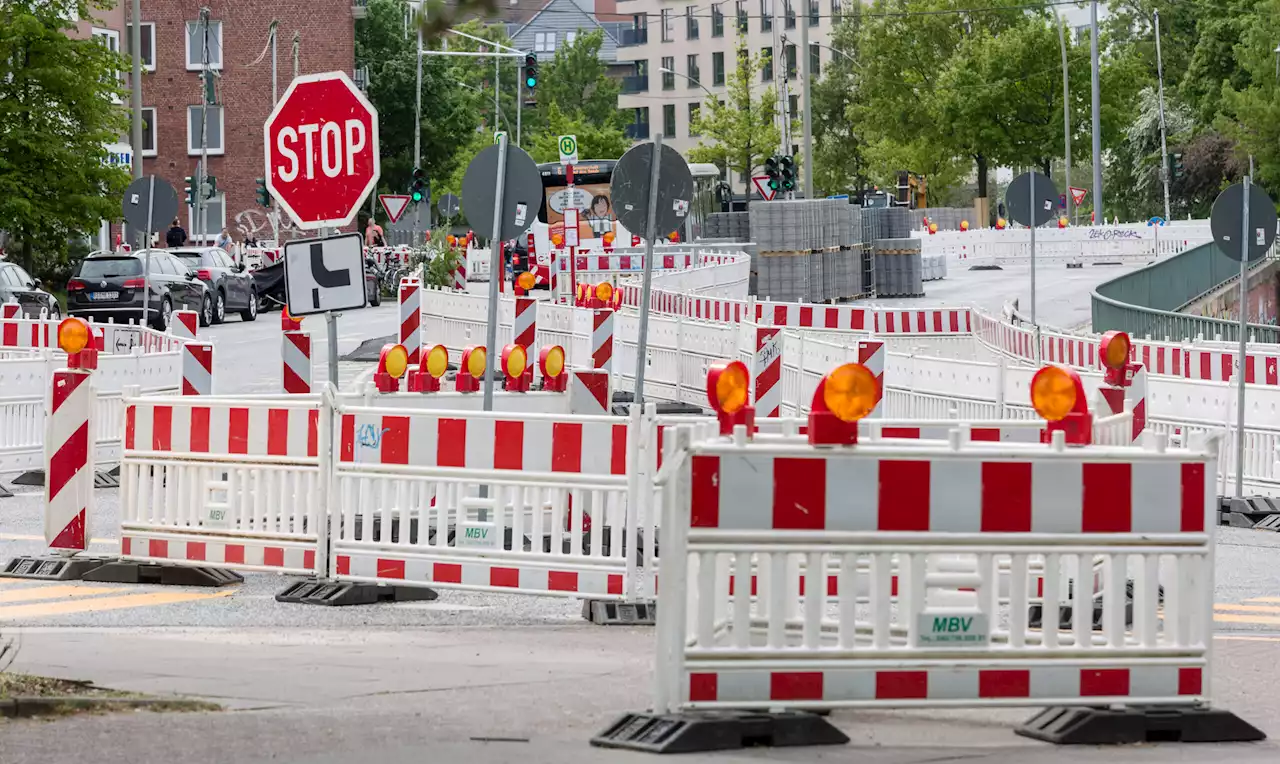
<point>808,250</point>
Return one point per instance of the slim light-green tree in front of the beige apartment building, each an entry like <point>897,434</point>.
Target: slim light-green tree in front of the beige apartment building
<point>740,134</point>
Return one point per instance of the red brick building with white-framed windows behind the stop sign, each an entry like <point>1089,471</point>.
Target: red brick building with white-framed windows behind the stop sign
<point>172,93</point>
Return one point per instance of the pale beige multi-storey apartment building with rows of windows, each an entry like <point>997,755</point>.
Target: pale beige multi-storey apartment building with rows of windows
<point>682,54</point>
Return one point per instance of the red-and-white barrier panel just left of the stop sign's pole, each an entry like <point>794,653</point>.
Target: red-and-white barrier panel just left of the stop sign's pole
<point>226,483</point>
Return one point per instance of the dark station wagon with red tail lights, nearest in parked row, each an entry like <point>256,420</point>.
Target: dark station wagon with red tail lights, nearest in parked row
<point>111,286</point>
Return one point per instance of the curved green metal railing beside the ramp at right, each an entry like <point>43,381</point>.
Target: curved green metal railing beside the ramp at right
<point>1144,303</point>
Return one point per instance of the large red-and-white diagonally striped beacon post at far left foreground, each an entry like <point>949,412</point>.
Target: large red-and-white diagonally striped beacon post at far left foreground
<point>70,461</point>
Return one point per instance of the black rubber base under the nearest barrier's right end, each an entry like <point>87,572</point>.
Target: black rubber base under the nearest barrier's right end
<point>1121,726</point>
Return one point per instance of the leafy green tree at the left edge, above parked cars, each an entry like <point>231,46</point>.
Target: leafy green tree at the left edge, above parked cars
<point>57,118</point>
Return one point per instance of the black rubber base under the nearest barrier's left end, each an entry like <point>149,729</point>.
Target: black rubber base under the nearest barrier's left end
<point>693,733</point>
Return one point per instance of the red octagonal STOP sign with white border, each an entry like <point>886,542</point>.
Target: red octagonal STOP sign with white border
<point>322,150</point>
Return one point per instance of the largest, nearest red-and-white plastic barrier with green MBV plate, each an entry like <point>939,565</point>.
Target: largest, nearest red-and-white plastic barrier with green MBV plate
<point>926,510</point>
